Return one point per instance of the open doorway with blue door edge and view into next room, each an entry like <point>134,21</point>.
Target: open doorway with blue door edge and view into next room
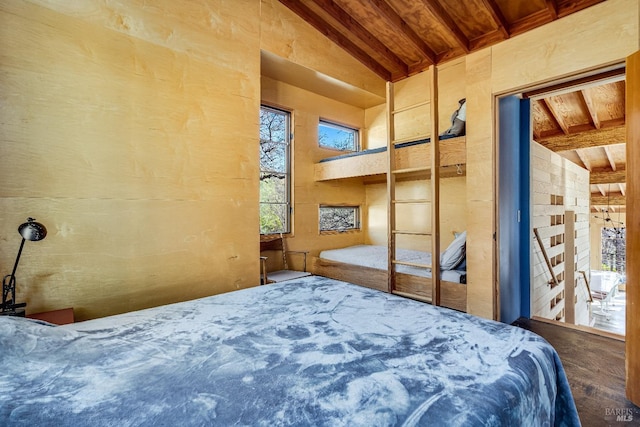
<point>571,194</point>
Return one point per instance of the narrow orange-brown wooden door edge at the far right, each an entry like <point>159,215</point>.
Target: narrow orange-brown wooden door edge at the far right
<point>633,229</point>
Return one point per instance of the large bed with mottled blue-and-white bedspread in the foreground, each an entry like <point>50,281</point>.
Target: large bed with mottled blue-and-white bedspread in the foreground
<point>313,351</point>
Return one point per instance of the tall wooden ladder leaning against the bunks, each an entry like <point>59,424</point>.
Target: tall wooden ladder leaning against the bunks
<point>392,202</point>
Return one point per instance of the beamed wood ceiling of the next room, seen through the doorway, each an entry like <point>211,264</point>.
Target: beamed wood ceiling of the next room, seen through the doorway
<point>586,125</point>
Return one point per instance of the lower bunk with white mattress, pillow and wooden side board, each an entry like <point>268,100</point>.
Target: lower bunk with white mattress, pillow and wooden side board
<point>366,265</point>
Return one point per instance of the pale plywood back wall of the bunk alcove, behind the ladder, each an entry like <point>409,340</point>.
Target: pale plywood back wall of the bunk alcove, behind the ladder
<point>412,91</point>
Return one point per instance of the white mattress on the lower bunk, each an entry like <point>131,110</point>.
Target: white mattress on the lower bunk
<point>374,256</point>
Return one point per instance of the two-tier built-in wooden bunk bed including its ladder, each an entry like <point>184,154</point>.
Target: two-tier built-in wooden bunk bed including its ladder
<point>411,154</point>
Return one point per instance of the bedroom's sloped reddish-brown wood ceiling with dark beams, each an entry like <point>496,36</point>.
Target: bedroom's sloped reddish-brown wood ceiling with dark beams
<point>398,38</point>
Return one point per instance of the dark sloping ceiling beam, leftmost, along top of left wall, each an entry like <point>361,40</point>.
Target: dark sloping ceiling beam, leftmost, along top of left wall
<point>335,36</point>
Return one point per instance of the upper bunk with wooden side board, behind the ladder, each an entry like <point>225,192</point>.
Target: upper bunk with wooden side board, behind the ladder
<point>409,154</point>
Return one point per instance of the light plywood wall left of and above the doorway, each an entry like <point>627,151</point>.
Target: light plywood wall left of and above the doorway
<point>588,40</point>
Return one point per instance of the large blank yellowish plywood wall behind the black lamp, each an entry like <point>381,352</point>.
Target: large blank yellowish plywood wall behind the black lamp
<point>131,133</point>
